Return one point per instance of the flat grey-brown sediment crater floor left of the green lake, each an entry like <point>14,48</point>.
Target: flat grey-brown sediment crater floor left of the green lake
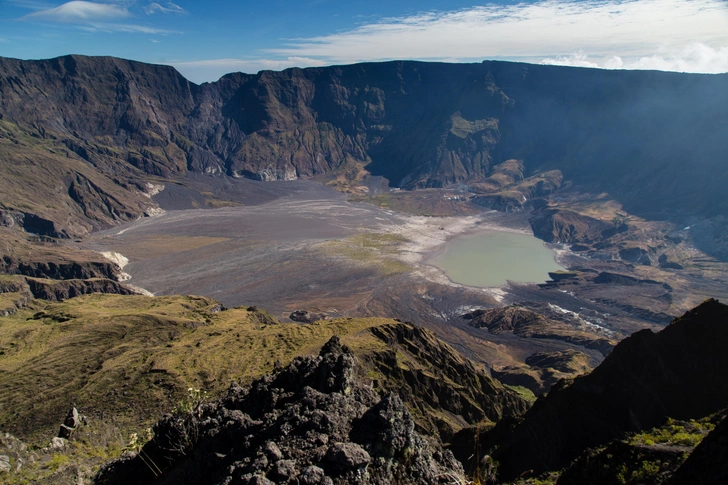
<point>268,254</point>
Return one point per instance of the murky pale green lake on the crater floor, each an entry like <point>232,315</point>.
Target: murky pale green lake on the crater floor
<point>490,258</point>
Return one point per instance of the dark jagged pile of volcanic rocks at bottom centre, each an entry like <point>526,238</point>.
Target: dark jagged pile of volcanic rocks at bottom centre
<point>314,422</point>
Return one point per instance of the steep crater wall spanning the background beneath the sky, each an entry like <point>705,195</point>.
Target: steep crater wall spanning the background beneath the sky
<point>100,127</point>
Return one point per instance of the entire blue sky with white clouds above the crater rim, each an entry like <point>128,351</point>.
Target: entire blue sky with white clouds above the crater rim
<point>205,40</point>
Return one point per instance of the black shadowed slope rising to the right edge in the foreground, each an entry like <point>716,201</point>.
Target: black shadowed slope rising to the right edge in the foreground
<point>680,372</point>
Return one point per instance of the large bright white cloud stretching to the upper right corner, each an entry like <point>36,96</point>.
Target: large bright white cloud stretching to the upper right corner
<point>659,33</point>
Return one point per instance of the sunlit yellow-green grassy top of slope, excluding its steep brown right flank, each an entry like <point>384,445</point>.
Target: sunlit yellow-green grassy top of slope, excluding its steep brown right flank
<point>130,358</point>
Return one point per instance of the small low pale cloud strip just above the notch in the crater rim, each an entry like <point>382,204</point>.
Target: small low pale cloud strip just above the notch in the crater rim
<point>213,69</point>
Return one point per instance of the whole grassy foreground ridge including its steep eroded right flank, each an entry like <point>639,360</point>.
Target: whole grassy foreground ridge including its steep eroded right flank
<point>128,359</point>
